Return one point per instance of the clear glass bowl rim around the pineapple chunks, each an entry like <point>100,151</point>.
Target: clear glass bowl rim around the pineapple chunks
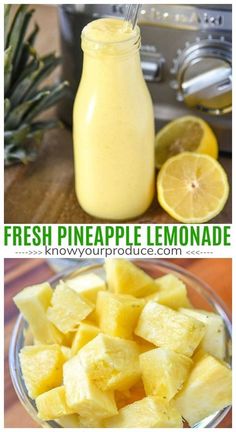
<point>200,294</point>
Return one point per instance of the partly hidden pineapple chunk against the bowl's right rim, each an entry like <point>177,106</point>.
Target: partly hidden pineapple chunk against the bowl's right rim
<point>214,339</point>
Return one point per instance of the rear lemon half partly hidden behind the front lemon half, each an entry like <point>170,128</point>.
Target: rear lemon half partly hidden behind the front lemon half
<point>188,133</point>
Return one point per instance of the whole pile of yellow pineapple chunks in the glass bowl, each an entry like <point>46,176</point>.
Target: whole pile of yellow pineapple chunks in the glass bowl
<point>124,352</point>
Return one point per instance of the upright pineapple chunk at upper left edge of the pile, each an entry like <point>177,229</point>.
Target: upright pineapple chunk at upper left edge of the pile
<point>33,302</point>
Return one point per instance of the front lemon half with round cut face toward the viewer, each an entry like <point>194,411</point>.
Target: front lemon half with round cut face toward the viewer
<point>192,188</point>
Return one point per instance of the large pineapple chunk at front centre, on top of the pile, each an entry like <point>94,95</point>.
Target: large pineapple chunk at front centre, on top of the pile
<point>112,363</point>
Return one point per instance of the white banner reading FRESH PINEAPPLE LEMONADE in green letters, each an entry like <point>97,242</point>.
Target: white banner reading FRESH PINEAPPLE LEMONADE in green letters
<point>133,241</point>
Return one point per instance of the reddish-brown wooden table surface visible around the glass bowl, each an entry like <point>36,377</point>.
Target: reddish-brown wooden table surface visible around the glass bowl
<point>23,272</point>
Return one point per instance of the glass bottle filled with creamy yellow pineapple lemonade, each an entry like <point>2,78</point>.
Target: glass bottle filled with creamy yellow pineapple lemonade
<point>113,124</point>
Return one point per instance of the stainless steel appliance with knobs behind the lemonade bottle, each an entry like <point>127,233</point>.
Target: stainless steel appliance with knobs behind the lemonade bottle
<point>185,55</point>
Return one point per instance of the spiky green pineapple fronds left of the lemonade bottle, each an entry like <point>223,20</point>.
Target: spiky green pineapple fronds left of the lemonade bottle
<point>25,98</point>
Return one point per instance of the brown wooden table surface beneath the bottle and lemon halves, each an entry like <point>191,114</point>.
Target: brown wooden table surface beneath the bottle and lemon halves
<point>43,191</point>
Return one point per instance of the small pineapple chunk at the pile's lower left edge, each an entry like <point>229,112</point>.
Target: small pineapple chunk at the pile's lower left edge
<point>52,404</point>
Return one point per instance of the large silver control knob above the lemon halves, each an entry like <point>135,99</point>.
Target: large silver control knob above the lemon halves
<point>203,75</point>
